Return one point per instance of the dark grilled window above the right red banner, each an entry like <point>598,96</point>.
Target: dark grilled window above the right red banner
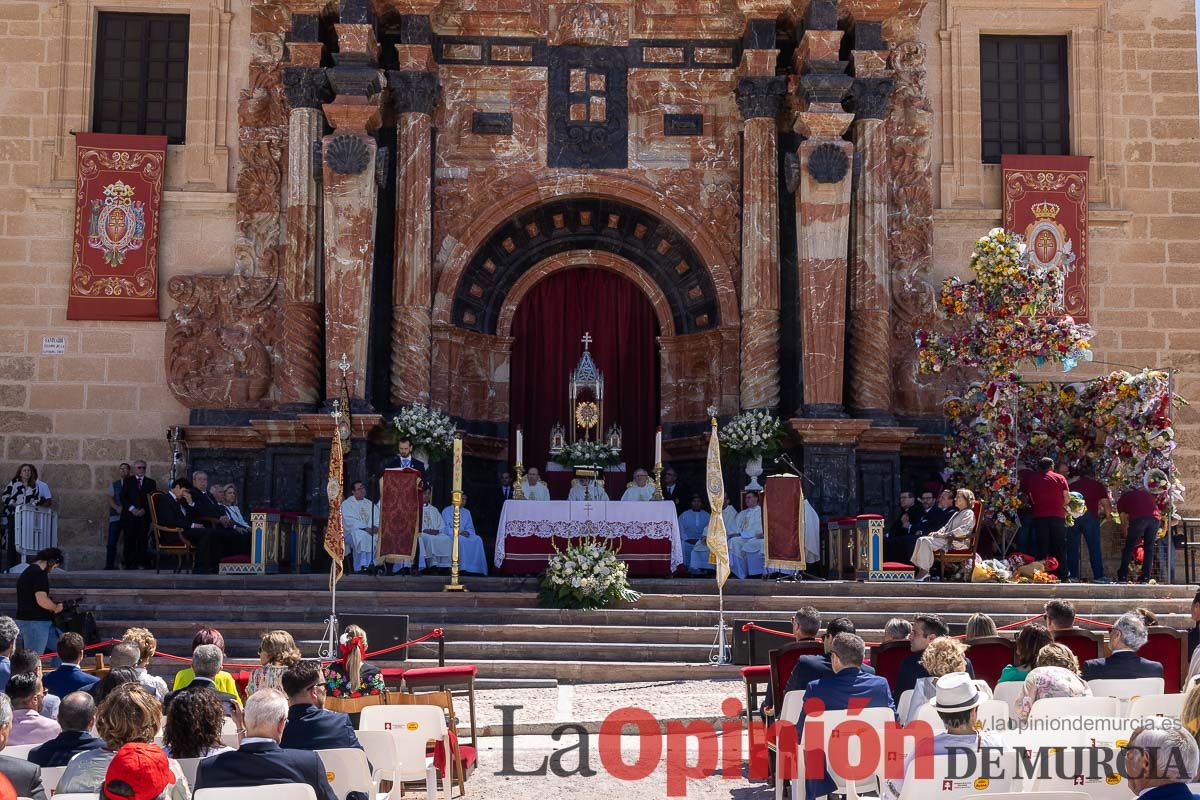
<point>1023,85</point>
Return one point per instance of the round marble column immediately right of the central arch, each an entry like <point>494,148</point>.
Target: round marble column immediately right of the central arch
<point>759,95</point>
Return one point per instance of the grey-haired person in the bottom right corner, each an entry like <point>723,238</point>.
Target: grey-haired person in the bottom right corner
<point>1161,761</point>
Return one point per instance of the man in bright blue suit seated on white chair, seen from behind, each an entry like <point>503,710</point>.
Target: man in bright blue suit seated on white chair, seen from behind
<point>836,694</point>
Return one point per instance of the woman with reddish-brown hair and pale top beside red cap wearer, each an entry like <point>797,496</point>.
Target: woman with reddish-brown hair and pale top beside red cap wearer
<point>130,714</point>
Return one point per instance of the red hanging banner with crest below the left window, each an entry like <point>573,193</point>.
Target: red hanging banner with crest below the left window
<point>115,266</point>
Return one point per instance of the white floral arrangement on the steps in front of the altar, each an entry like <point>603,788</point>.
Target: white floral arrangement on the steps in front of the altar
<point>586,575</point>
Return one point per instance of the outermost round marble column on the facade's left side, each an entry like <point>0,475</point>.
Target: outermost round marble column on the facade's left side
<point>308,89</point>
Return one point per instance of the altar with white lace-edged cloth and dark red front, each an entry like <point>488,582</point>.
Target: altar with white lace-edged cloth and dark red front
<point>530,531</point>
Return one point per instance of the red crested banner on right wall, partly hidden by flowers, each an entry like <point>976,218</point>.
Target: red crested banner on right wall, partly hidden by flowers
<point>1046,201</point>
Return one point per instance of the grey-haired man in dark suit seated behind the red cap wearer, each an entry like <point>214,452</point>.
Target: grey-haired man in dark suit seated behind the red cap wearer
<point>261,761</point>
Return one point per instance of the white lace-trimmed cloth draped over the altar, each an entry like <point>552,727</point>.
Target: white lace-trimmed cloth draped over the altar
<point>611,520</point>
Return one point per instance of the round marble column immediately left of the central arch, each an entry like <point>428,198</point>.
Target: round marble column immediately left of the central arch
<point>413,94</point>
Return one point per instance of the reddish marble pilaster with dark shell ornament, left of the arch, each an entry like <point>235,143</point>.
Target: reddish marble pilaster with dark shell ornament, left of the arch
<point>350,197</point>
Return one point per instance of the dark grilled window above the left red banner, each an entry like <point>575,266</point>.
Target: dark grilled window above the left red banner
<point>141,75</point>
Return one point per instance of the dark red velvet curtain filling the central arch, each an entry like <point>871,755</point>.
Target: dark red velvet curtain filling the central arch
<point>548,328</point>
